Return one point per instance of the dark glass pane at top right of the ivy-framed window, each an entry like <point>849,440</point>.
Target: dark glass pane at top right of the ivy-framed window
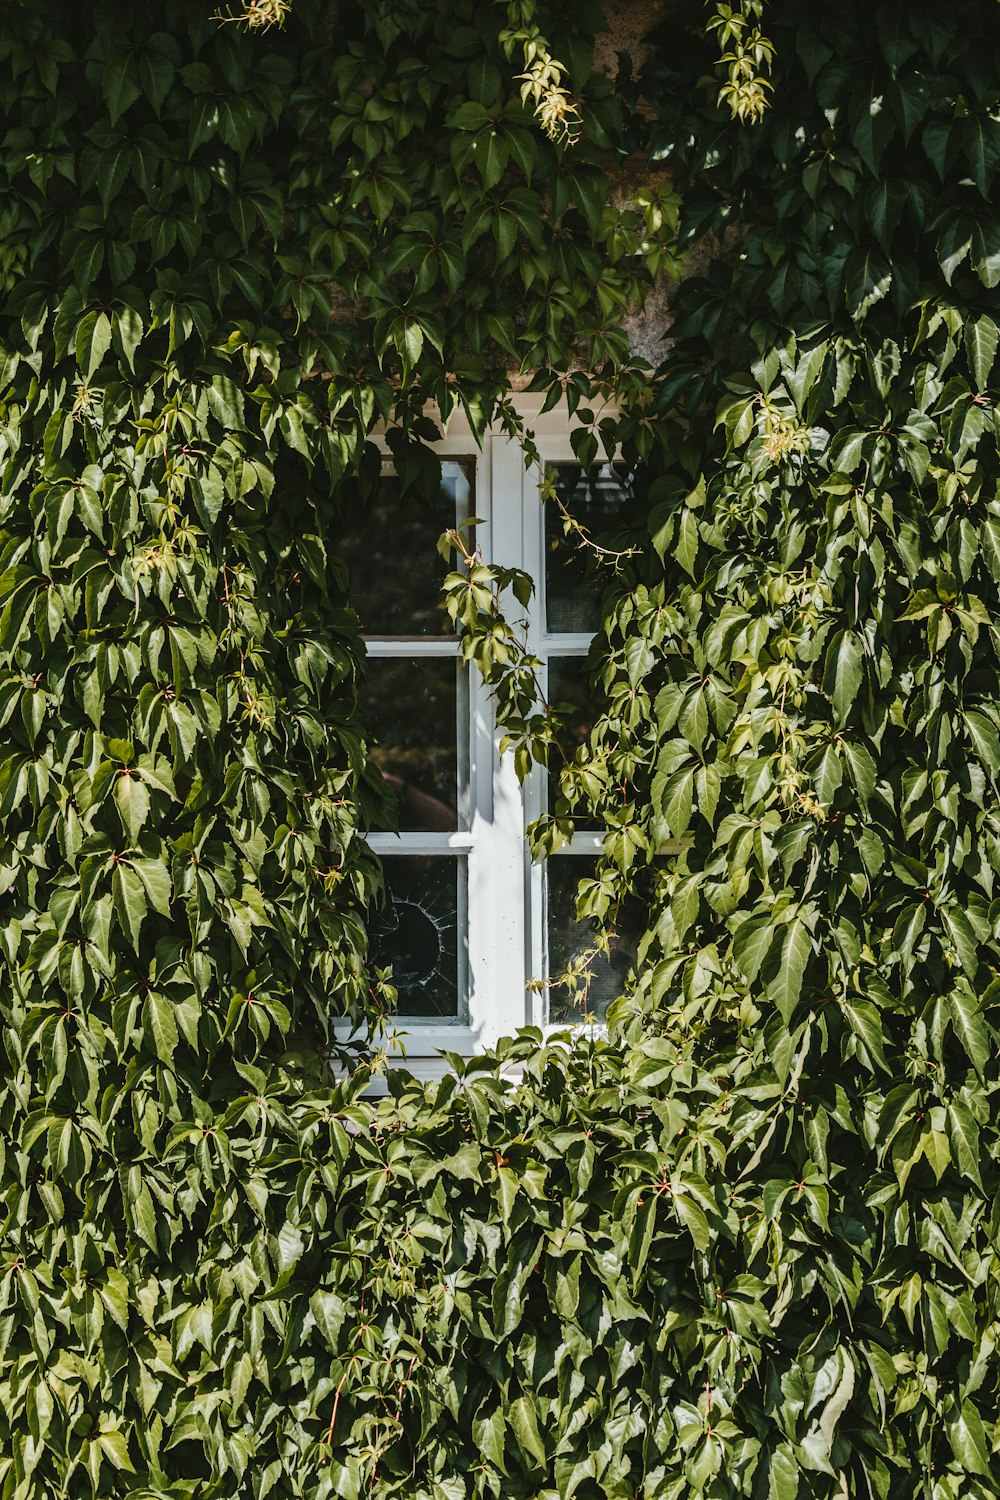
<point>596,499</point>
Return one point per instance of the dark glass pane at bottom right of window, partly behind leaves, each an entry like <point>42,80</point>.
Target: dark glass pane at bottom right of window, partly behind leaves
<point>567,941</point>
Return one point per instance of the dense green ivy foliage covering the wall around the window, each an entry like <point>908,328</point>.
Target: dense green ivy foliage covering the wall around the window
<point>750,1246</point>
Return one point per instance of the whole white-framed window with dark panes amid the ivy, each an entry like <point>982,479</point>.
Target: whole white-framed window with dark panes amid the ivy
<point>470,922</point>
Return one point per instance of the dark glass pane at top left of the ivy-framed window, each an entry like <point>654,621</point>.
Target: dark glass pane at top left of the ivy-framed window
<point>392,554</point>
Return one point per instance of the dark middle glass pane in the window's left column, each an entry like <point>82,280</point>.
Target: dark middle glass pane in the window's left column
<point>418,713</point>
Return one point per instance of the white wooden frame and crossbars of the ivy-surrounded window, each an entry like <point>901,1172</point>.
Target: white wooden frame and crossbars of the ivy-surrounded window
<point>506,890</point>
